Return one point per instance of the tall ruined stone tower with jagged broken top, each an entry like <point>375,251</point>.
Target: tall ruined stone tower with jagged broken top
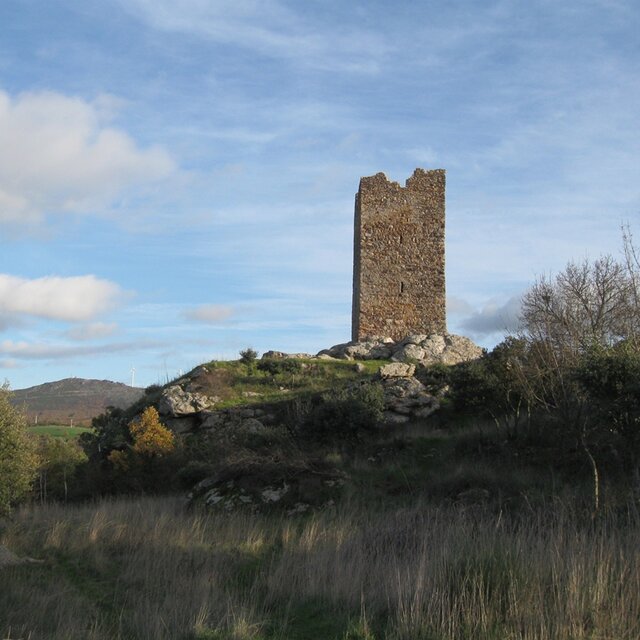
<point>398,263</point>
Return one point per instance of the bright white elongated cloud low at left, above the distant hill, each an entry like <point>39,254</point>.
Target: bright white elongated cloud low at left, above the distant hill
<point>74,299</point>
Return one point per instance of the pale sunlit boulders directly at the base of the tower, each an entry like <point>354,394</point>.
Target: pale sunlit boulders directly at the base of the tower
<point>420,349</point>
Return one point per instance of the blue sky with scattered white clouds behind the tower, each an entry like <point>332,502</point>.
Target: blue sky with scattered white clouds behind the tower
<point>177,177</point>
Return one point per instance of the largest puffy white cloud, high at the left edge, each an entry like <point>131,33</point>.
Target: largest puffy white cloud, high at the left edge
<point>58,155</point>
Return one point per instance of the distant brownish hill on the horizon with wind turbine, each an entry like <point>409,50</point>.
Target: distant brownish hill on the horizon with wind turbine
<point>74,399</point>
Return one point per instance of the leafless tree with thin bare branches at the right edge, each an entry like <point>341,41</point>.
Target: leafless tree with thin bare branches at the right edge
<point>590,305</point>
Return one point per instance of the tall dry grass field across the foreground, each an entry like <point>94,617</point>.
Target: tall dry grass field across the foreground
<point>145,568</point>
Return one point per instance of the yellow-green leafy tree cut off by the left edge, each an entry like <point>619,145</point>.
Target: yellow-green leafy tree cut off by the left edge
<point>18,458</point>
